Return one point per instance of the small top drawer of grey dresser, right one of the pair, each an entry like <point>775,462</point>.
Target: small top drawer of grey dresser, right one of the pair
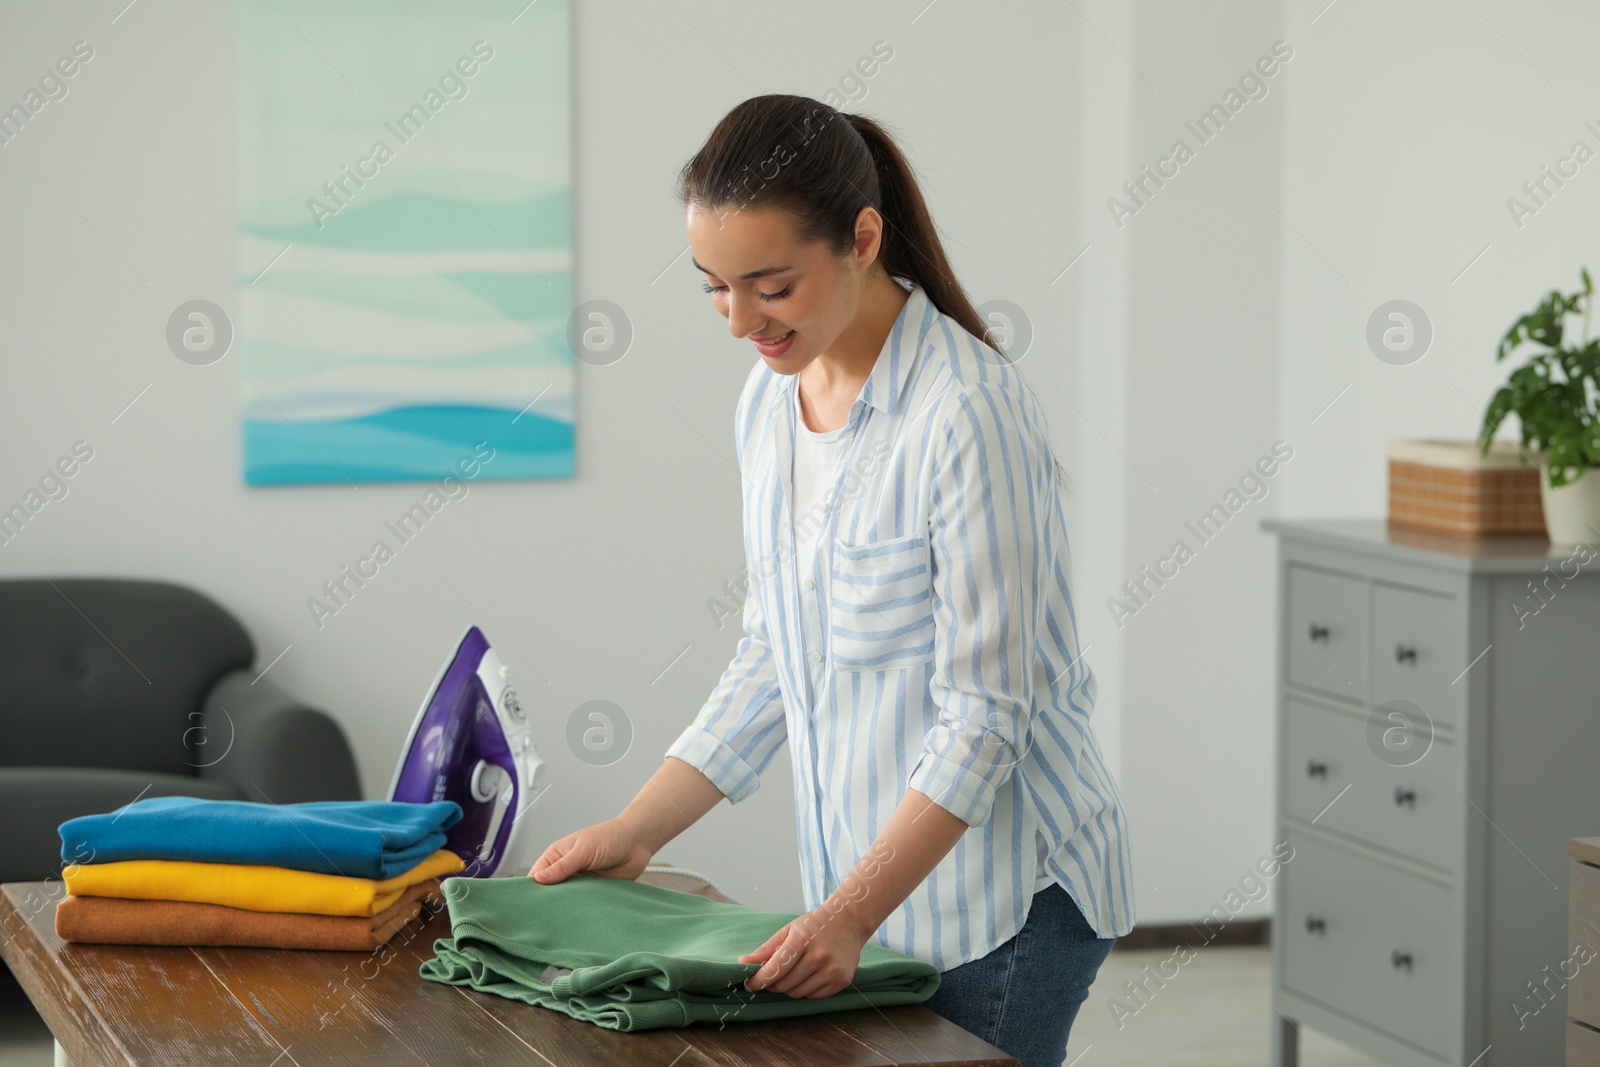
<point>1417,652</point>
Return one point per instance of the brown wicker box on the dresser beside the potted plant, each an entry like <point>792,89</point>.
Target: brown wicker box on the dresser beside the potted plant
<point>1444,486</point>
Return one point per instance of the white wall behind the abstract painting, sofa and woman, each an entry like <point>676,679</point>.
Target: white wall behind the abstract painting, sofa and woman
<point>119,207</point>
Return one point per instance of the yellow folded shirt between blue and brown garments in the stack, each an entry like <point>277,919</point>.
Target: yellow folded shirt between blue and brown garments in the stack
<point>252,887</point>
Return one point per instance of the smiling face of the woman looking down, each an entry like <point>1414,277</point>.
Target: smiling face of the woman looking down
<point>772,289</point>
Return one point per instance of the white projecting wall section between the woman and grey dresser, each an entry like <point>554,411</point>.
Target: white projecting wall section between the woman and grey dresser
<point>1180,361</point>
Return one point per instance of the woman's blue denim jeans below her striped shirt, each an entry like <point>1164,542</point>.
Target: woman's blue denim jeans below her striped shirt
<point>1025,996</point>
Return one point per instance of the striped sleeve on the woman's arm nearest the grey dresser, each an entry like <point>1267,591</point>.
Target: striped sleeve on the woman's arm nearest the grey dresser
<point>993,495</point>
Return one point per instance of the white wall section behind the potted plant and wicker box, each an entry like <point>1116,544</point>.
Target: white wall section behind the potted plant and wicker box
<point>1399,170</point>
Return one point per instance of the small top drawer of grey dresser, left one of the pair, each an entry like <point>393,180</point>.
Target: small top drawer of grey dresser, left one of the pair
<point>1327,649</point>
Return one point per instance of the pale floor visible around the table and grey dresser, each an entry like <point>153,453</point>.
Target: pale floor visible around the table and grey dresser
<point>1209,1015</point>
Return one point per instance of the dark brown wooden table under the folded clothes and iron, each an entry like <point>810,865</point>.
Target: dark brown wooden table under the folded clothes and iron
<point>273,1009</point>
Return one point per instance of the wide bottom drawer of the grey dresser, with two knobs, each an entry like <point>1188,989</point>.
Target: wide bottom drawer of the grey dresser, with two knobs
<point>1374,943</point>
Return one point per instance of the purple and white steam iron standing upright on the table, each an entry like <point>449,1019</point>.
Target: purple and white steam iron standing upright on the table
<point>473,745</point>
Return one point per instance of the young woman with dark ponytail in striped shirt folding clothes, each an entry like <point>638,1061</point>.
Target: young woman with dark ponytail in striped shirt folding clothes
<point>910,628</point>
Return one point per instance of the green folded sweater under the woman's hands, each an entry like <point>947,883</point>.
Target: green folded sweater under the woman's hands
<point>634,957</point>
